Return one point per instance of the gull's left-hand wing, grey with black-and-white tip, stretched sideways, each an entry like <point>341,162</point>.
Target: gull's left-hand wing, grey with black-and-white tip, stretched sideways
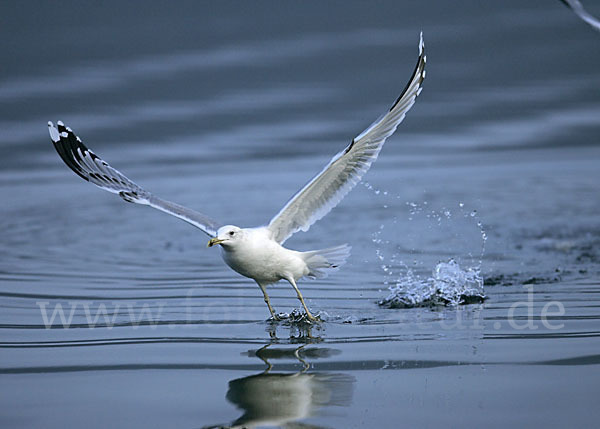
<point>87,165</point>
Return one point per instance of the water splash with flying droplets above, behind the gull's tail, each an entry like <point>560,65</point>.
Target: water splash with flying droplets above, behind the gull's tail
<point>439,231</point>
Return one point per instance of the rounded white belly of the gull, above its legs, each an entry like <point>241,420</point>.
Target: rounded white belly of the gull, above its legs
<point>266,264</point>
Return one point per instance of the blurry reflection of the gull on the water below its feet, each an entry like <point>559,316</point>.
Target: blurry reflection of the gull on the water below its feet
<point>281,399</point>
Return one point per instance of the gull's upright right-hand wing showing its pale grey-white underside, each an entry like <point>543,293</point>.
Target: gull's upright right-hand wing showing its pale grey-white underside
<point>346,168</point>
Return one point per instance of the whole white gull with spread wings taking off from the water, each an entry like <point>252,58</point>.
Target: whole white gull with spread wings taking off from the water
<point>258,252</point>
